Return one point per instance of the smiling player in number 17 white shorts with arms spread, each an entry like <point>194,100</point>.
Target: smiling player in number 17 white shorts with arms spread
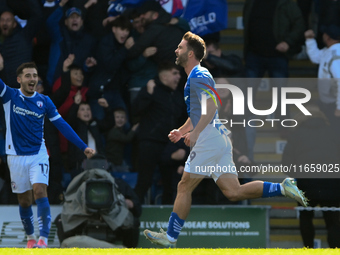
<point>27,157</point>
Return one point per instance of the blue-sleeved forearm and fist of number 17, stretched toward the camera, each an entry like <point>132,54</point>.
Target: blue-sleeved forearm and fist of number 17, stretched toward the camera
<point>72,136</point>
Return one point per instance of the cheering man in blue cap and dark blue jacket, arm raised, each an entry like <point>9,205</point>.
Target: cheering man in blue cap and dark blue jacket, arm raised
<point>66,39</point>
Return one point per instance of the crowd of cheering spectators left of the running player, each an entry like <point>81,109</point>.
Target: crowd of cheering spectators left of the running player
<point>96,69</point>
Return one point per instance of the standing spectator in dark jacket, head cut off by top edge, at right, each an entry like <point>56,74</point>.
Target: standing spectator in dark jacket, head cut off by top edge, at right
<point>273,31</point>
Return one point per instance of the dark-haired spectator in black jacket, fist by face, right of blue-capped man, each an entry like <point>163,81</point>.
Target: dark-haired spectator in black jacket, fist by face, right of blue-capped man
<point>110,74</point>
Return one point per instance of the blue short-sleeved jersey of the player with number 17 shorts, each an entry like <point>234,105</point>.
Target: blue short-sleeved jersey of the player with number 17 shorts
<point>25,120</point>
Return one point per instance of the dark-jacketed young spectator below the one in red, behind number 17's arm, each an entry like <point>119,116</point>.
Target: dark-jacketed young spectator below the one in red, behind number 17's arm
<point>80,119</point>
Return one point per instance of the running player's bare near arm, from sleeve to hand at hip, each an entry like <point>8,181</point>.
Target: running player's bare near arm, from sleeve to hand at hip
<point>202,123</point>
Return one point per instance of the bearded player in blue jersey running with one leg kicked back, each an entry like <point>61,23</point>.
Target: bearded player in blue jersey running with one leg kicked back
<point>211,147</point>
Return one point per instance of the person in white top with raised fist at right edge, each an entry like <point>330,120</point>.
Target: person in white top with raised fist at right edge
<point>328,59</point>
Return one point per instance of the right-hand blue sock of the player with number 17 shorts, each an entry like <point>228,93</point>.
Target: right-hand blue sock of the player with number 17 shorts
<point>44,216</point>
